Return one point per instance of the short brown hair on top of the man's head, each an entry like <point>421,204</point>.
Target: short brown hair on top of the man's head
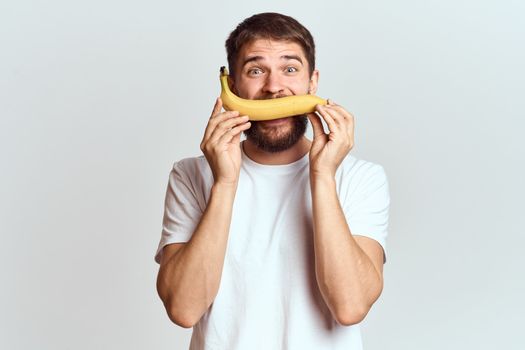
<point>270,25</point>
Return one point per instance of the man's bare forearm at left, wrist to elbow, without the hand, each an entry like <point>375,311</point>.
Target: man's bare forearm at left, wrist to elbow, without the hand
<point>191,278</point>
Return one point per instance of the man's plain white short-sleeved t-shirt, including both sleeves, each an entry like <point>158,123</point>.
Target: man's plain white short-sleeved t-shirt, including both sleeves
<point>268,296</point>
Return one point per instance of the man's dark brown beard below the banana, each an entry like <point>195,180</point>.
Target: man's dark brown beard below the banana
<point>275,140</point>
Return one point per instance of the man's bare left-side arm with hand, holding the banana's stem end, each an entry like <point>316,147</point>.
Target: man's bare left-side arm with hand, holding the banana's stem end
<point>189,274</point>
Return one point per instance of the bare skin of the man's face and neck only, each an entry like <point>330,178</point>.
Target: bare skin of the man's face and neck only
<point>269,69</point>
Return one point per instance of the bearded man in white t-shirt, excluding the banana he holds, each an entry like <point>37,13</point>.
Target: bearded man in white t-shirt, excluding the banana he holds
<point>276,242</point>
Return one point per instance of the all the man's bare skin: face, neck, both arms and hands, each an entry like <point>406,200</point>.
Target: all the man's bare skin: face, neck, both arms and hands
<point>349,267</point>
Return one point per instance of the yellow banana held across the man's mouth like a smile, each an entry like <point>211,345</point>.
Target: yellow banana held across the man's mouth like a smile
<point>267,109</point>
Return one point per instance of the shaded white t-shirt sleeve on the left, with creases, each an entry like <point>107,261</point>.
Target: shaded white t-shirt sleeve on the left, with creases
<point>181,209</point>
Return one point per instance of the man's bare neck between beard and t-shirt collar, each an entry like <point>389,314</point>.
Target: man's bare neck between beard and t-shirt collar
<point>288,156</point>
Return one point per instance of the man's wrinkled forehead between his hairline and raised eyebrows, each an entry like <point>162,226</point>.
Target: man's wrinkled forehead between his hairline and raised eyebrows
<point>269,48</point>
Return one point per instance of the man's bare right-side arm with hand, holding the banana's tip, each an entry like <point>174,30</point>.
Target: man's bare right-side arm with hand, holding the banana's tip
<point>348,268</point>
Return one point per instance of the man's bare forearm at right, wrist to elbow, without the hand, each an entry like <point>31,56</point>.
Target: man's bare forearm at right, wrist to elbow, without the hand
<point>347,278</point>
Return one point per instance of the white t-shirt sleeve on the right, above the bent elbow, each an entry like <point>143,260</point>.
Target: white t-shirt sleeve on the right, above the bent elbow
<point>367,206</point>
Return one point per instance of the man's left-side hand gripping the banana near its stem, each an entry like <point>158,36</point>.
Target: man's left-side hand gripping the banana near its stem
<point>221,144</point>
